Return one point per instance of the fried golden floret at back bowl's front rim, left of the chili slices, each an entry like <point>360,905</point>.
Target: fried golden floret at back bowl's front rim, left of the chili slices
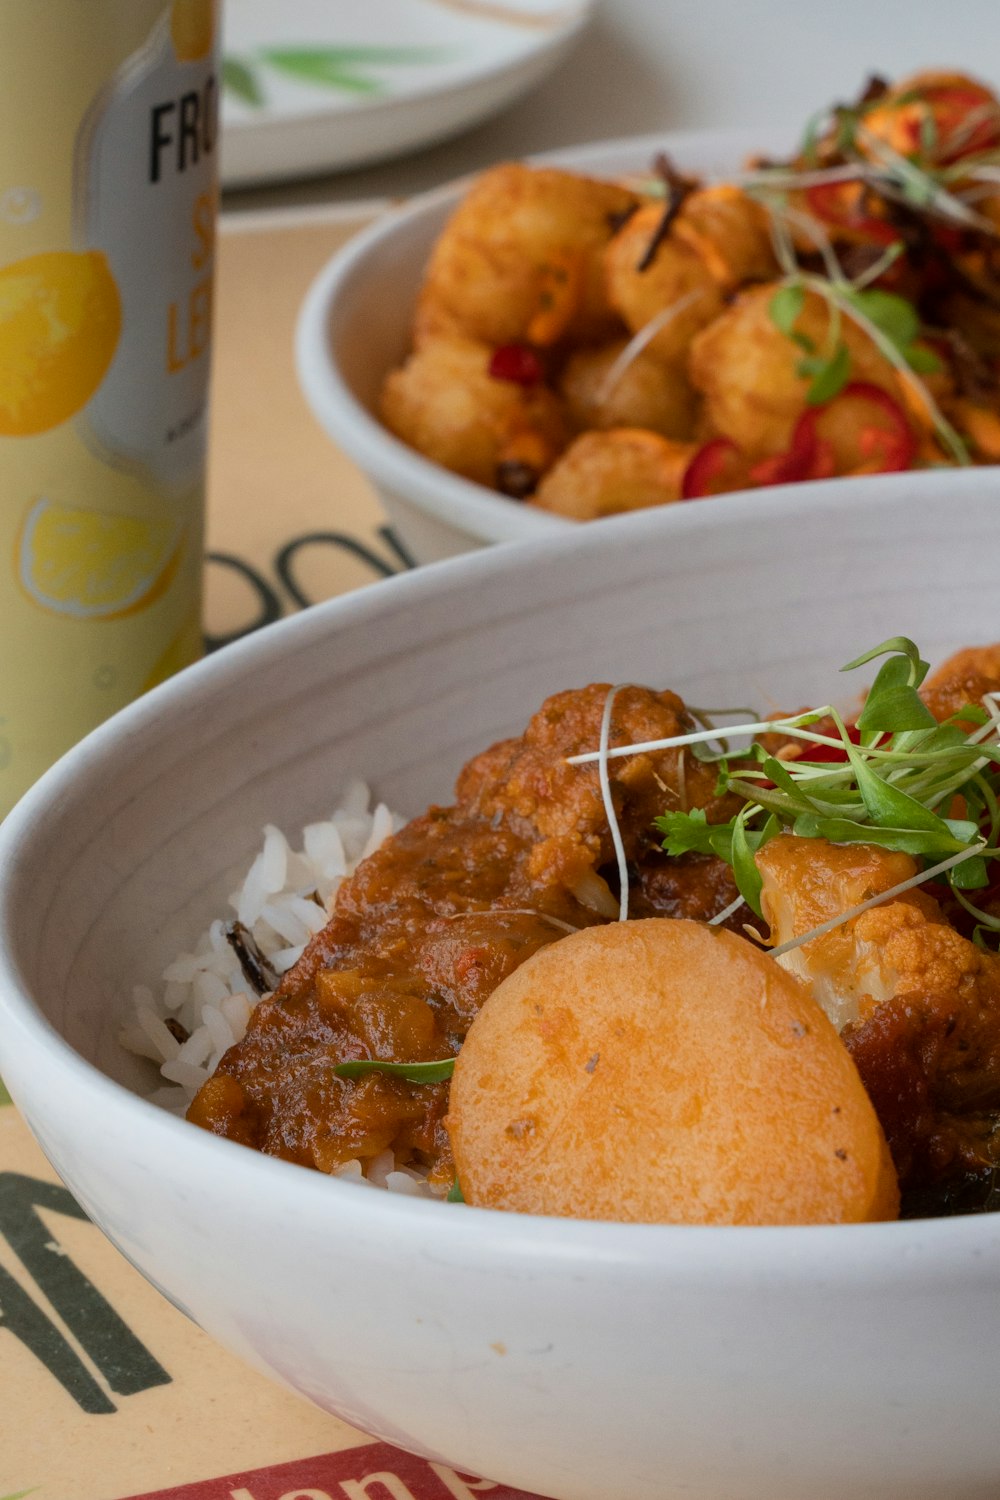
<point>608,473</point>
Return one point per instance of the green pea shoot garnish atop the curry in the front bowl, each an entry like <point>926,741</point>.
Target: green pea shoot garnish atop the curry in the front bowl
<point>897,779</point>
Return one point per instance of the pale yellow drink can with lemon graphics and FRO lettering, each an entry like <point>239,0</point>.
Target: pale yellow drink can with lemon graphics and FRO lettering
<point>109,149</point>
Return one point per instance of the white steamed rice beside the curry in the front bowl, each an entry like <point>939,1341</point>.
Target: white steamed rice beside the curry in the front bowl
<point>286,898</point>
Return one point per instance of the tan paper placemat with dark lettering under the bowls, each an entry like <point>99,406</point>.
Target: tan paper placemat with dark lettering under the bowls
<point>109,1393</point>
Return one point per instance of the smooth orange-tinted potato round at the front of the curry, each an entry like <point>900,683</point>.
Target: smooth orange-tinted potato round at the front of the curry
<point>663,1072</point>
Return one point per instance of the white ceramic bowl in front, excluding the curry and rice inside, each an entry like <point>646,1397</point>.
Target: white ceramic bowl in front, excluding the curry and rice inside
<point>572,1360</point>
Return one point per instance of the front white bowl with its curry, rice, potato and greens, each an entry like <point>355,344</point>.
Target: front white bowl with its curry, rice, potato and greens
<point>546,1009</point>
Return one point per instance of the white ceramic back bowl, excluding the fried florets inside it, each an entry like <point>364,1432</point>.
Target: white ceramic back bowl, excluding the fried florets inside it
<point>356,326</point>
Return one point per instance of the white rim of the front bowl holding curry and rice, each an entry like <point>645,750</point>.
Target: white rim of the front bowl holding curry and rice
<point>894,1250</point>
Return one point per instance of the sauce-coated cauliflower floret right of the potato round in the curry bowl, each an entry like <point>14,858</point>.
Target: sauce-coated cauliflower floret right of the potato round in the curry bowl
<point>920,1004</point>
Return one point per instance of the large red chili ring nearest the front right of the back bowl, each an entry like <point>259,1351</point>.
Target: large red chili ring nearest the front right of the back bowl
<point>870,419</point>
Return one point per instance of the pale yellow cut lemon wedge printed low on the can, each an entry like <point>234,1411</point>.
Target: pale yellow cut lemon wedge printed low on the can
<point>95,566</point>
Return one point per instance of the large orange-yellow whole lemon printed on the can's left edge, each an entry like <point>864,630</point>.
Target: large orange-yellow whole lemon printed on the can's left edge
<point>61,319</point>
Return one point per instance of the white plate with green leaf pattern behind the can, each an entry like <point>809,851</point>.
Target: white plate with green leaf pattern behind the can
<point>316,86</point>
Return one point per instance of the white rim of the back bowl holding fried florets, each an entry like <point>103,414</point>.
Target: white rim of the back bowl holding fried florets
<point>388,460</point>
